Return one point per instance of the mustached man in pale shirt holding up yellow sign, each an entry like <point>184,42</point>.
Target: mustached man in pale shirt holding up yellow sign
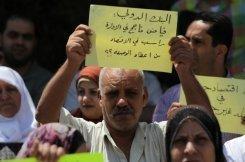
<point>120,137</point>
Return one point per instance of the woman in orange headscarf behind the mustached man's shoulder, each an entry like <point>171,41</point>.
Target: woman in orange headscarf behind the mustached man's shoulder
<point>87,85</point>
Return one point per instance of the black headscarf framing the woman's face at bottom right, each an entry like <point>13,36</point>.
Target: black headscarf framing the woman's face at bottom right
<point>208,123</point>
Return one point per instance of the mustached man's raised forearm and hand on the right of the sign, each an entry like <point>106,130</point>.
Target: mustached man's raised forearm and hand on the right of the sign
<point>182,56</point>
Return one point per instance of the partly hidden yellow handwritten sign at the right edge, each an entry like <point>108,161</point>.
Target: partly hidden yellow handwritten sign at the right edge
<point>227,97</point>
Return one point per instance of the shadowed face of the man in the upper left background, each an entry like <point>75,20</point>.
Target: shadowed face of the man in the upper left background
<point>18,42</point>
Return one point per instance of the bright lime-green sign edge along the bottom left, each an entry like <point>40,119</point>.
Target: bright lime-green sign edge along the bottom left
<point>81,157</point>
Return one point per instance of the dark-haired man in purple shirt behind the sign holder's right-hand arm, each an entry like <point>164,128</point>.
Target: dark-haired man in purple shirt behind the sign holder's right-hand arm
<point>210,38</point>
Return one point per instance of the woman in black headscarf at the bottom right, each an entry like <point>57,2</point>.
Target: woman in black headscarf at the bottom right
<point>193,135</point>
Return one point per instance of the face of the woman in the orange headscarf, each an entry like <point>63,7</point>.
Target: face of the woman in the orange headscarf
<point>88,98</point>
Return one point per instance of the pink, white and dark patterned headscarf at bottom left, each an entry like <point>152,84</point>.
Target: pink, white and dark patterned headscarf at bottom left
<point>55,134</point>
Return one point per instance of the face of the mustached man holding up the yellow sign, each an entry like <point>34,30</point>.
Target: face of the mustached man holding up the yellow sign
<point>122,98</point>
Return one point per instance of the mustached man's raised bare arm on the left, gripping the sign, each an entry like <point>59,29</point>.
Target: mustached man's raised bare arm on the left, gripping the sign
<point>53,96</point>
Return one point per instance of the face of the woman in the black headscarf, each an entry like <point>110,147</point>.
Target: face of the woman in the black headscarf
<point>192,146</point>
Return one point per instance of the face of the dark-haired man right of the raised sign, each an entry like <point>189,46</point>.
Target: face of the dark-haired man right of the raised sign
<point>201,42</point>
